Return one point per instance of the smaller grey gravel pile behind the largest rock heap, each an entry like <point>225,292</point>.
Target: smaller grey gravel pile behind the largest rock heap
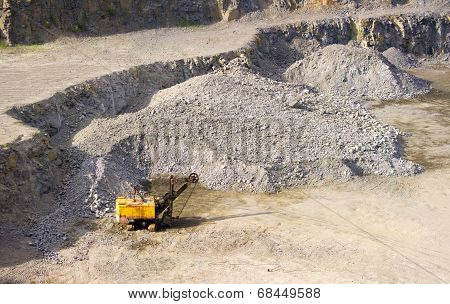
<point>361,72</point>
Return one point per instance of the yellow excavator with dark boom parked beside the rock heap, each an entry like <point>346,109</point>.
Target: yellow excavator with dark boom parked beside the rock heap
<point>143,210</point>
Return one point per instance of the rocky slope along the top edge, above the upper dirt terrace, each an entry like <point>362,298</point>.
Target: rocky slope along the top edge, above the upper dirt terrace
<point>23,21</point>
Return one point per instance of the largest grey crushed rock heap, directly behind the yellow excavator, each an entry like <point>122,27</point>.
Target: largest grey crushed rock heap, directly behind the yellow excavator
<point>244,132</point>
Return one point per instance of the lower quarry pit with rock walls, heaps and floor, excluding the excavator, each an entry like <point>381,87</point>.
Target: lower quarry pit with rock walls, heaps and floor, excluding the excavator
<point>314,129</point>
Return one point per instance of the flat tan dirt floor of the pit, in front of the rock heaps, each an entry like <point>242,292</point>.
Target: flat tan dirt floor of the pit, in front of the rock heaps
<point>369,230</point>
